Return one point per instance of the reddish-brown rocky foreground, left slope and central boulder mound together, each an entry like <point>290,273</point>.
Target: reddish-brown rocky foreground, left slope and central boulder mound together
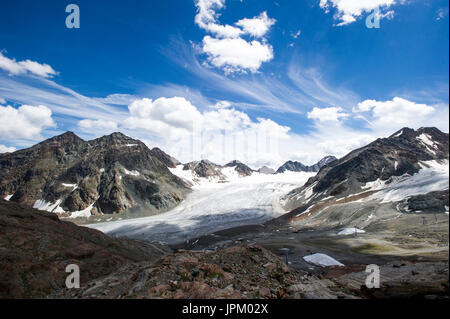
<point>36,247</point>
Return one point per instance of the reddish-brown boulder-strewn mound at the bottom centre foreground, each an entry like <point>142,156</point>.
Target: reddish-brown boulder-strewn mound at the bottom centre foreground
<point>233,273</point>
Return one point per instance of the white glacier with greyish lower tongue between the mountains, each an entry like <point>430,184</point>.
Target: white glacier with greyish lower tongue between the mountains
<point>213,206</point>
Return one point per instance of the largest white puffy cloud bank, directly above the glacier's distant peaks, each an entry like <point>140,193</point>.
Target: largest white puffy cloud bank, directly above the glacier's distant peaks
<point>220,135</point>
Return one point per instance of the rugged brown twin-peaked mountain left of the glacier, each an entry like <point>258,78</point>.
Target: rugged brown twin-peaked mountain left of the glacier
<point>113,174</point>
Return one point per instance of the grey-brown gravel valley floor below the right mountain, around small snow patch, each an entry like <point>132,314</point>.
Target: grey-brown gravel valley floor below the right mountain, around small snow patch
<point>413,257</point>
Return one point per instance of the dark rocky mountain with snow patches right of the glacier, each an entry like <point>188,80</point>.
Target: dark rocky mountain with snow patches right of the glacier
<point>371,168</point>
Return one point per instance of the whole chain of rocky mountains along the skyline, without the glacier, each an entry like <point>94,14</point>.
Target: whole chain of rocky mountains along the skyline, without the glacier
<point>117,175</point>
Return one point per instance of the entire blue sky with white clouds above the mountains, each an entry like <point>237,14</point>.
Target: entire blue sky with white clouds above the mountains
<point>261,81</point>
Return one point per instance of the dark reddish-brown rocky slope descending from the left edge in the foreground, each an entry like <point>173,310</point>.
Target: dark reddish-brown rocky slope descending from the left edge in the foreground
<point>36,247</point>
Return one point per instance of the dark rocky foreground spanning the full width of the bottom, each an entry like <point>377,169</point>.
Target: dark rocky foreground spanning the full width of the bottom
<point>36,247</point>
